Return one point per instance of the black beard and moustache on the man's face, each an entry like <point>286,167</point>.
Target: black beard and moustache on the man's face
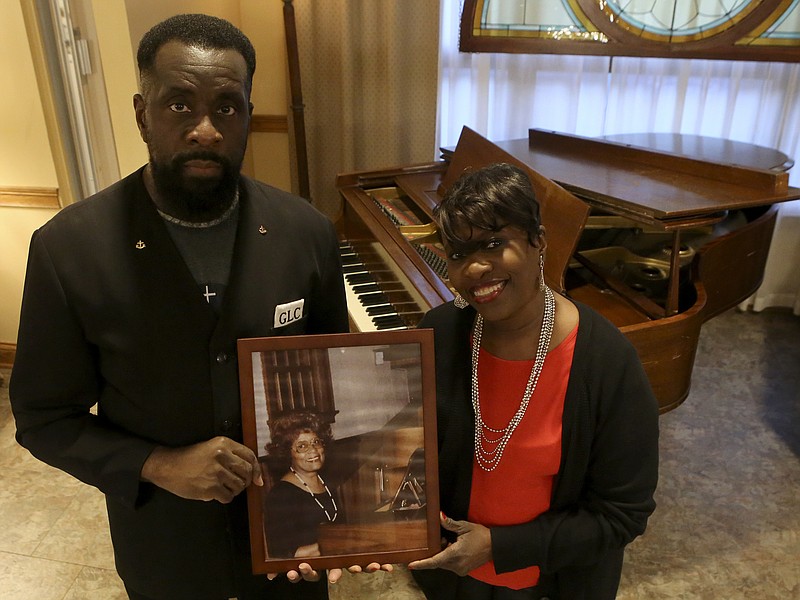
<point>194,199</point>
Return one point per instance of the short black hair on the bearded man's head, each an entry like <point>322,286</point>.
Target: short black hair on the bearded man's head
<point>203,31</point>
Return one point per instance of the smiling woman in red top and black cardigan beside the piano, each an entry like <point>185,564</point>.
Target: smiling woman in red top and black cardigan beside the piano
<point>547,424</point>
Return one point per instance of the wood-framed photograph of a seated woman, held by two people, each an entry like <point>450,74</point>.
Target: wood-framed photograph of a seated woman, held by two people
<point>344,426</point>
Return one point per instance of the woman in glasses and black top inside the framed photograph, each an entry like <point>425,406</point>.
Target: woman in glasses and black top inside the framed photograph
<point>300,500</point>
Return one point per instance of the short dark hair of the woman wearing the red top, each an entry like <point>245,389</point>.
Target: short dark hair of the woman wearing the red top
<point>488,198</point>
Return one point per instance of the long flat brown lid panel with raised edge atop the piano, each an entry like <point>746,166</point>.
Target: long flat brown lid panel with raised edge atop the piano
<point>656,187</point>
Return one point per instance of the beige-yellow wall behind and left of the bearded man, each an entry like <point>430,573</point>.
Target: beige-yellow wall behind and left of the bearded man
<point>25,156</point>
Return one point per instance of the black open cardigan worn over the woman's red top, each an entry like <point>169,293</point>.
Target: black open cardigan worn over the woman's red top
<point>603,493</point>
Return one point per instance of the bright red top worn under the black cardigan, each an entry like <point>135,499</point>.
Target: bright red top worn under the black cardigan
<point>520,487</point>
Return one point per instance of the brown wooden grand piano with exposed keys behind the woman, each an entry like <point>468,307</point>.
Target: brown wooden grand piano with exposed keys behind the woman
<point>657,240</point>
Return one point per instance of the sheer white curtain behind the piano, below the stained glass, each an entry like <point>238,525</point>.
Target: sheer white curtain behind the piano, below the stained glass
<point>503,95</point>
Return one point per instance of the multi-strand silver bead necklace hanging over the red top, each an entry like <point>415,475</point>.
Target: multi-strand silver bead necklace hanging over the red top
<point>489,442</point>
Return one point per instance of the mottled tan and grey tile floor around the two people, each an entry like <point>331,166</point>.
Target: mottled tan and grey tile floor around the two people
<point>727,524</point>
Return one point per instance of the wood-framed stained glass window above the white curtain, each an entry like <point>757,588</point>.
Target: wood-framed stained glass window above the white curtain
<point>732,29</point>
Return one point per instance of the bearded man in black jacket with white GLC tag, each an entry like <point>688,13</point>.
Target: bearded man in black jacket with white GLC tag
<point>133,301</point>
